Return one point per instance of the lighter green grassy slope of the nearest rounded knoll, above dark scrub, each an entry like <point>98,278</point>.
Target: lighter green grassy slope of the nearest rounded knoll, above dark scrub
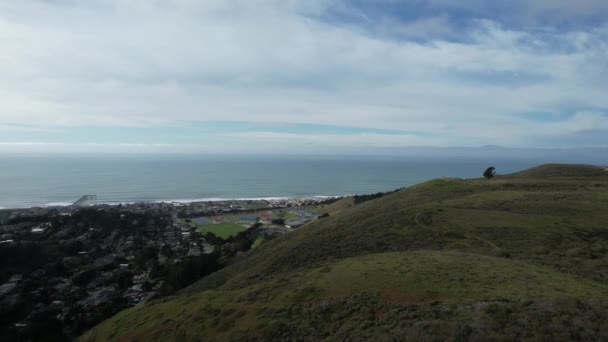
<point>389,283</point>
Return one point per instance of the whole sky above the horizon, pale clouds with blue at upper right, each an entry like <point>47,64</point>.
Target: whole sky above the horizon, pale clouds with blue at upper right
<point>301,76</point>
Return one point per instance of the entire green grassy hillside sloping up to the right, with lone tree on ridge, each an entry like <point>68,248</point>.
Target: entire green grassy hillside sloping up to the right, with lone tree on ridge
<point>518,257</point>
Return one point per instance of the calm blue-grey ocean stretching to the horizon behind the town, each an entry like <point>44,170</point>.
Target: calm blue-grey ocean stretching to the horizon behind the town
<point>29,181</point>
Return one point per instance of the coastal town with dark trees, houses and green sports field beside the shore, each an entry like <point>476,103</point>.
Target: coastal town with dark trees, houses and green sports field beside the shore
<point>65,269</point>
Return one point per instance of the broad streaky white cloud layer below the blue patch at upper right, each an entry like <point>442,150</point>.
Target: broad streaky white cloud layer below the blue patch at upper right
<point>146,63</point>
